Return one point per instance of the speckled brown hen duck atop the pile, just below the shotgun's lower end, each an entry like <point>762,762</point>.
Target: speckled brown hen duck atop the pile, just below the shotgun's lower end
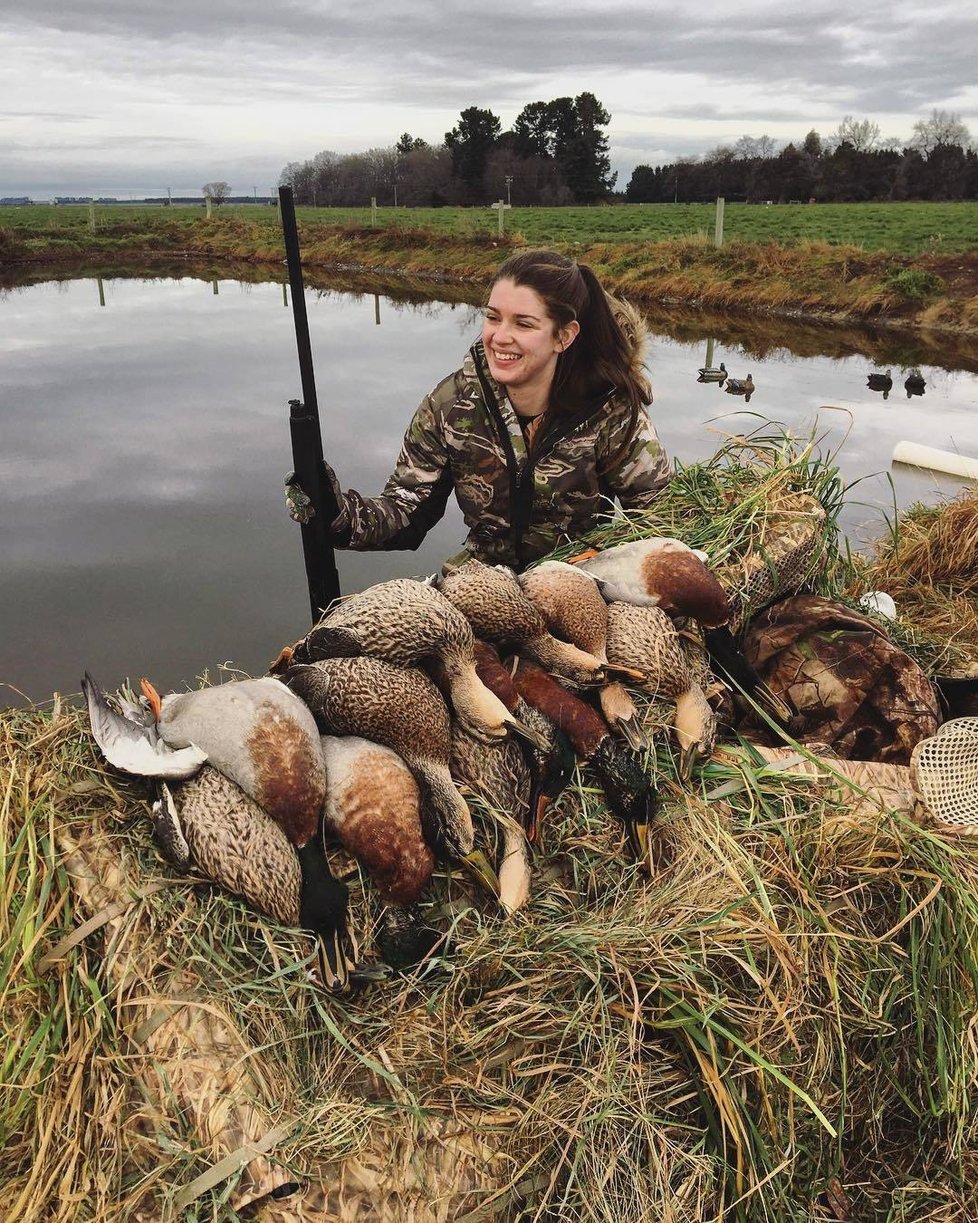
<point>404,622</point>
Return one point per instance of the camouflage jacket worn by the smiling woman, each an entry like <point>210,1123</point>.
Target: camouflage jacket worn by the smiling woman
<point>518,506</point>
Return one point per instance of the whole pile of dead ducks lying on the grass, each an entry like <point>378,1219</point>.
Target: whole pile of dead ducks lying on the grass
<point>409,696</point>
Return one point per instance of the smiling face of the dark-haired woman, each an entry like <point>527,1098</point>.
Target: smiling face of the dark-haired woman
<point>523,342</point>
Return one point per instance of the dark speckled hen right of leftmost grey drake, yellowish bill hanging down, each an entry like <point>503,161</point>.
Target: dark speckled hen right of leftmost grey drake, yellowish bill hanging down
<point>403,710</point>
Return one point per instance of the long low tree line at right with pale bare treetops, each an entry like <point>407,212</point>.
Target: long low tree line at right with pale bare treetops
<point>851,166</point>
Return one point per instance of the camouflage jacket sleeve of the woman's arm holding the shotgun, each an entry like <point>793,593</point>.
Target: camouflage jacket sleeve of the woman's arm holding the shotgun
<point>414,498</point>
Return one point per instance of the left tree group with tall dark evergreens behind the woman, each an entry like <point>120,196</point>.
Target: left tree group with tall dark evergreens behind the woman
<point>556,153</point>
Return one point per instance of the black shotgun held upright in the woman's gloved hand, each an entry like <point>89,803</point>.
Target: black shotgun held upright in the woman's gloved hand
<point>307,438</point>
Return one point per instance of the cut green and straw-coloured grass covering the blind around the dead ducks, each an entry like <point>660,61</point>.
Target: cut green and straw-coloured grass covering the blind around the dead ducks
<point>778,1025</point>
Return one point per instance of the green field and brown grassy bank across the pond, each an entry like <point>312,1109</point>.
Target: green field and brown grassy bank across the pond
<point>812,277</point>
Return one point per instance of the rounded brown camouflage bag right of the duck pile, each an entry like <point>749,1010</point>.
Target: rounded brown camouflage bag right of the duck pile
<point>850,685</point>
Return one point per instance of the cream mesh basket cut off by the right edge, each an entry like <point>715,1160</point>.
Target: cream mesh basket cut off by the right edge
<point>946,774</point>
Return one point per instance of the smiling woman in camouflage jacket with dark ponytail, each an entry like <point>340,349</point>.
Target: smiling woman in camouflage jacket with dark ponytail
<point>545,423</point>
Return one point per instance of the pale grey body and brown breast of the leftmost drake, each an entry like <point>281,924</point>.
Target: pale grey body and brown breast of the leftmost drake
<point>261,737</point>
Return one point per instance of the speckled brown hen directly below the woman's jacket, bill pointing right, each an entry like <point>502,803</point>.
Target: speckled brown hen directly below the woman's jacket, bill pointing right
<point>492,601</point>
